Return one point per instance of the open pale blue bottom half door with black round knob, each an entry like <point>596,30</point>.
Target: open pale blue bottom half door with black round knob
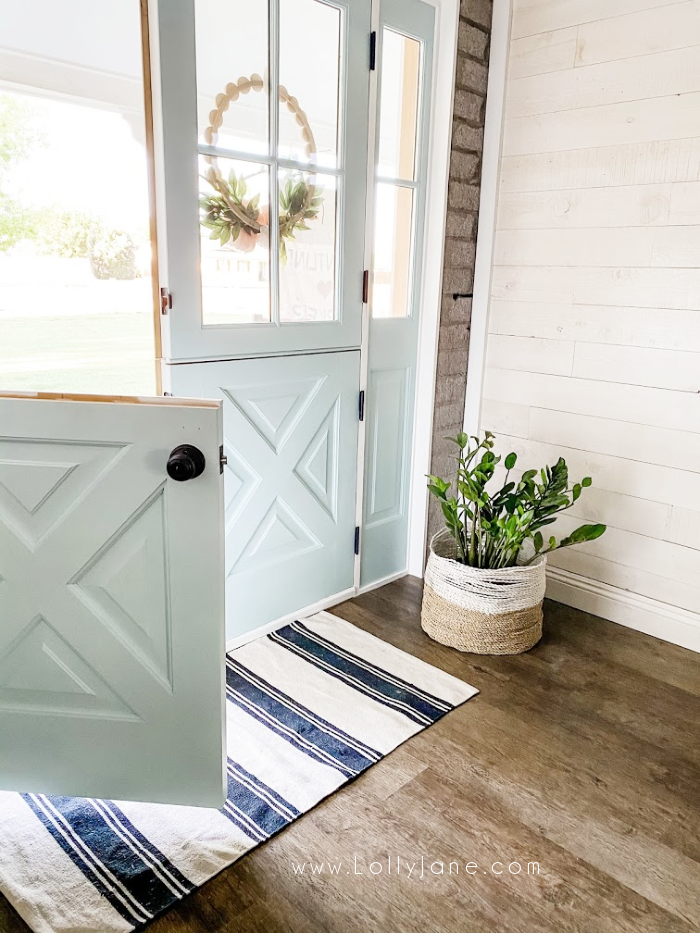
<point>111,599</point>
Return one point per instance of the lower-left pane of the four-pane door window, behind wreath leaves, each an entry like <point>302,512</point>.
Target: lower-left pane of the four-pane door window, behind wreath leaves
<point>234,241</point>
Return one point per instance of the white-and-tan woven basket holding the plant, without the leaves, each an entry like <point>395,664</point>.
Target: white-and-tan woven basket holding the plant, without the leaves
<point>481,611</point>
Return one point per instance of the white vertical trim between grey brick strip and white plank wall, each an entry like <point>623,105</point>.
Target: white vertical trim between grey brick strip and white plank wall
<point>488,206</point>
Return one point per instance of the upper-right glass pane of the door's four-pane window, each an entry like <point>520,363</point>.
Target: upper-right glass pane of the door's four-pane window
<point>309,81</point>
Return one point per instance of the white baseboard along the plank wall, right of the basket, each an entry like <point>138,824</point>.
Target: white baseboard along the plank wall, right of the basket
<point>670,623</point>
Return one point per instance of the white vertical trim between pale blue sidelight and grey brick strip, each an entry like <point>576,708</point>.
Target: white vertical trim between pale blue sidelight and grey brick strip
<point>442,100</point>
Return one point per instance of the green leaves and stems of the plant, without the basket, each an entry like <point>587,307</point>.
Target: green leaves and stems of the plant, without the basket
<point>491,528</point>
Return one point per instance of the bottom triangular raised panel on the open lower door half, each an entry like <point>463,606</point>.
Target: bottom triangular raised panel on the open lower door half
<point>42,673</point>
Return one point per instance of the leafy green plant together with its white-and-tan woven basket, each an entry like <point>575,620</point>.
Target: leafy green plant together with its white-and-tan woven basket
<point>485,578</point>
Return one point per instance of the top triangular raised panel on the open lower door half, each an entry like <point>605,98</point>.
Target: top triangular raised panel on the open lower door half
<point>41,482</point>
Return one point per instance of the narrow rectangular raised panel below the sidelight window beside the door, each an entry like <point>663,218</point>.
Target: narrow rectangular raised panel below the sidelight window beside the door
<point>387,494</point>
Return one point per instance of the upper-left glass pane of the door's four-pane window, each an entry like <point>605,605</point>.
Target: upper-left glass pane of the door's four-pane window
<point>232,69</point>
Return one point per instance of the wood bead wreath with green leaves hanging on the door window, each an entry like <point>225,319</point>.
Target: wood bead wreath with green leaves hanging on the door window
<point>238,220</point>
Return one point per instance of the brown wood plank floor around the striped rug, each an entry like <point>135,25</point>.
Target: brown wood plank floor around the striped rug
<point>582,755</point>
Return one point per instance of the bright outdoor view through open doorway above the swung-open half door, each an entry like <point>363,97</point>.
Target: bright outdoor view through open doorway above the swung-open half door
<point>76,295</point>
